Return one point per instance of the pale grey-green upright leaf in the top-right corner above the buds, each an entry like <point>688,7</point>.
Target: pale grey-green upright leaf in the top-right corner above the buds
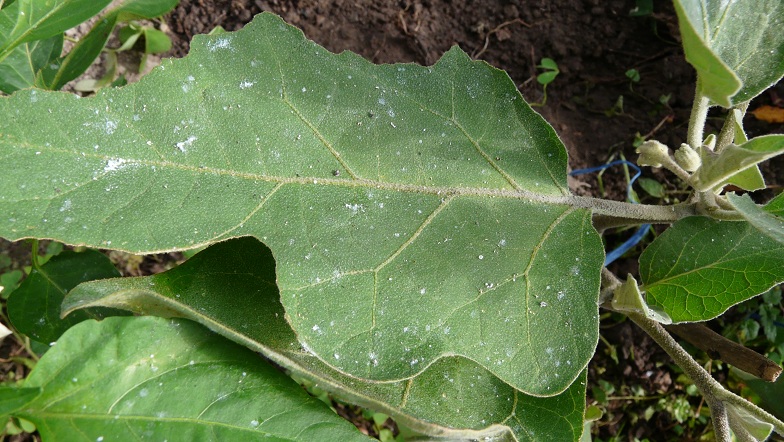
<point>737,47</point>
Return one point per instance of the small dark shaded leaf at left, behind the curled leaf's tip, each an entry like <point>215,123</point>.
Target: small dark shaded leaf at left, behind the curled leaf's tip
<point>34,307</point>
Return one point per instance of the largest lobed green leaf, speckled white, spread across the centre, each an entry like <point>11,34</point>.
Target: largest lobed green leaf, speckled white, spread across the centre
<point>424,210</point>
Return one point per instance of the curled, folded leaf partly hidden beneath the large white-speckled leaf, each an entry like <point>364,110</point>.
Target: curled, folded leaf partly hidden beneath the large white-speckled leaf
<point>230,288</point>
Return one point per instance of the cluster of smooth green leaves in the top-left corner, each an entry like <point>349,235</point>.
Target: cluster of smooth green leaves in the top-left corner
<point>32,35</point>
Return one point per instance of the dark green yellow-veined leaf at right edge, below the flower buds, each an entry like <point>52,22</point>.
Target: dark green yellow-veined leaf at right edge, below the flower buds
<point>700,267</point>
